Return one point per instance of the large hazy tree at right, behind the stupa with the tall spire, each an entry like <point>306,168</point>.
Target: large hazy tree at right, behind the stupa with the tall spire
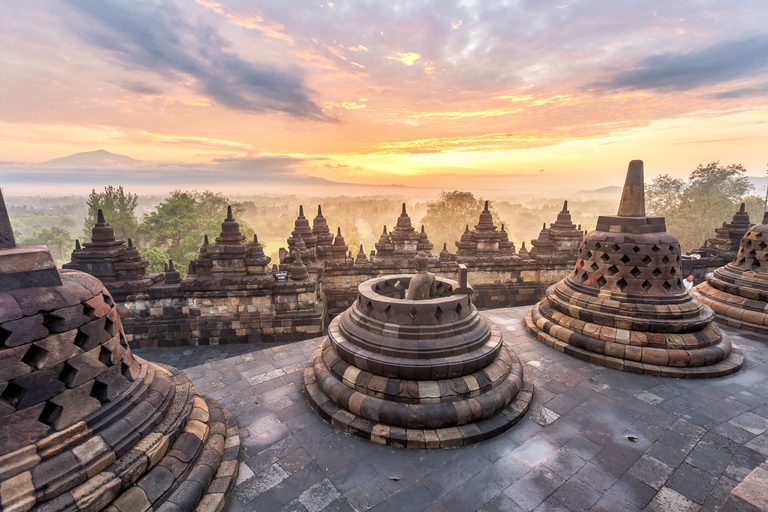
<point>693,209</point>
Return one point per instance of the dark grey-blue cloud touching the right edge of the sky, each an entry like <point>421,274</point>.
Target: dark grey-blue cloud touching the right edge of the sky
<point>715,64</point>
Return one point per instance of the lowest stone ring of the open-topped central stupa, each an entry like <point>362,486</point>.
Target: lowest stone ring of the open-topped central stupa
<point>382,433</point>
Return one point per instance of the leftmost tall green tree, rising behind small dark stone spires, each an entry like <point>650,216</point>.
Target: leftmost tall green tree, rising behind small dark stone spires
<point>118,208</point>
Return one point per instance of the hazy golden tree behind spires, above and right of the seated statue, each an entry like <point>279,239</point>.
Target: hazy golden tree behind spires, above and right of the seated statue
<point>447,217</point>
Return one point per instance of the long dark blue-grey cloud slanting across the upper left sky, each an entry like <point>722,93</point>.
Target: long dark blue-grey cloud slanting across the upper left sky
<point>158,37</point>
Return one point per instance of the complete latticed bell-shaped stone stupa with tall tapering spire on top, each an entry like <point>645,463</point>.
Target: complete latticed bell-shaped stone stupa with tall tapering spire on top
<point>624,305</point>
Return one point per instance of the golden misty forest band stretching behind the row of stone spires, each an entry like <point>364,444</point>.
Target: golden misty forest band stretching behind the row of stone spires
<point>173,226</point>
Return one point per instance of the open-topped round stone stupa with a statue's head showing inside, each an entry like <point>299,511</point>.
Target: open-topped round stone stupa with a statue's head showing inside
<point>416,373</point>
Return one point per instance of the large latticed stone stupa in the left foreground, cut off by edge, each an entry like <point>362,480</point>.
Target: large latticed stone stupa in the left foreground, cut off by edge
<point>84,424</point>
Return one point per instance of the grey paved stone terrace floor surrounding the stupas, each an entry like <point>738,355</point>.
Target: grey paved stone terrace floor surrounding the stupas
<point>595,438</point>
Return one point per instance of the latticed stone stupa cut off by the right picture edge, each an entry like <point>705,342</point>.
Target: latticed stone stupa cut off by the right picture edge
<point>738,292</point>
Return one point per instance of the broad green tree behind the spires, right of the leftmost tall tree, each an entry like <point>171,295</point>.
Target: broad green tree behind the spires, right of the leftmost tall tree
<point>178,224</point>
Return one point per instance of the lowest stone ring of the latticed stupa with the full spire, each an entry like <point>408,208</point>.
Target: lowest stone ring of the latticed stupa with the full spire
<point>726,367</point>
